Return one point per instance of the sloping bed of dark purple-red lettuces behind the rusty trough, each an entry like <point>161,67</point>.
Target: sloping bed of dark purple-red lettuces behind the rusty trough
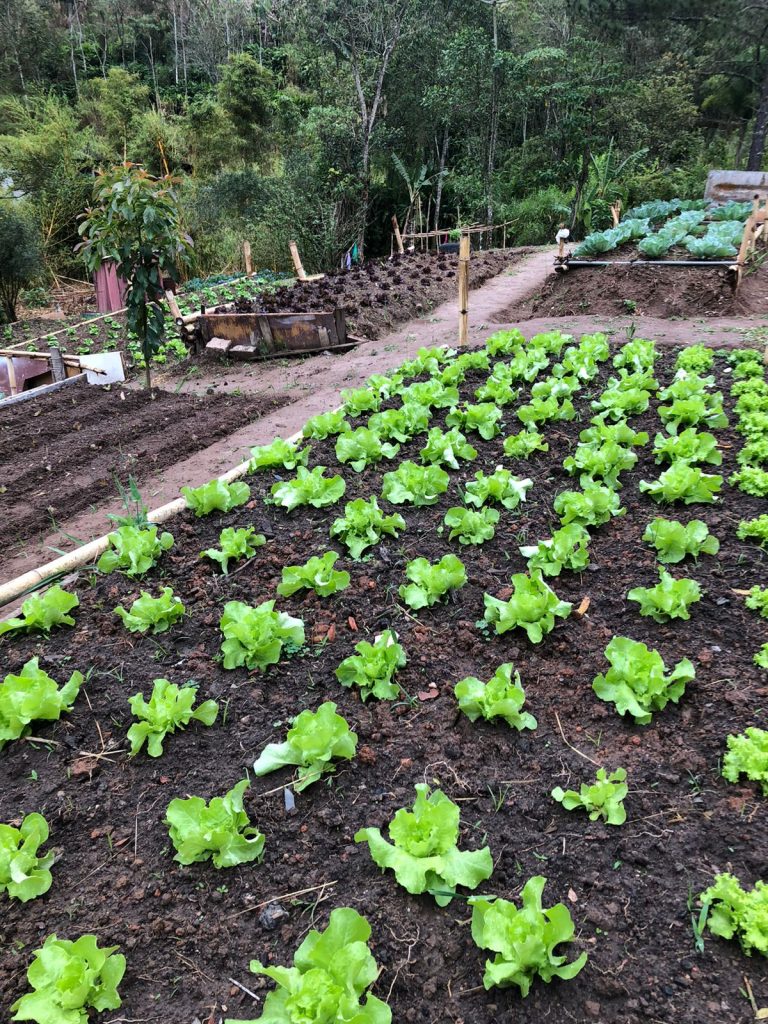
<point>379,295</point>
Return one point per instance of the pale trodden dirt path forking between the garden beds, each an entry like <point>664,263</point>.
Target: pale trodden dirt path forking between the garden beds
<point>315,383</point>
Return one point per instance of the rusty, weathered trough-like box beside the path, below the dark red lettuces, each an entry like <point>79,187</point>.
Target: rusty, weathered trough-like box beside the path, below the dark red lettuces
<point>266,336</point>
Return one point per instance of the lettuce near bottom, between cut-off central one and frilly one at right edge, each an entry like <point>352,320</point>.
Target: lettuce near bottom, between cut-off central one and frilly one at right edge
<point>524,940</point>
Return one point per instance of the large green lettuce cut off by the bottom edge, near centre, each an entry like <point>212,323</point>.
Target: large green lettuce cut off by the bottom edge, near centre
<point>332,970</point>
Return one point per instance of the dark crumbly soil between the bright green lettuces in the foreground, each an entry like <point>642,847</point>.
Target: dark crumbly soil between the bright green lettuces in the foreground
<point>188,931</point>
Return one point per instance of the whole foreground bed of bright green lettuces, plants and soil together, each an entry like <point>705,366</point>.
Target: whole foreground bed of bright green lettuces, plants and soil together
<point>453,709</point>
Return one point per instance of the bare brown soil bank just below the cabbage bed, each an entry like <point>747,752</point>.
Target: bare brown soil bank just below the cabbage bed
<point>648,291</point>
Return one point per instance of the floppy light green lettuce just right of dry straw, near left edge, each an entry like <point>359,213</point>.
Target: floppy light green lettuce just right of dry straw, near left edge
<point>169,708</point>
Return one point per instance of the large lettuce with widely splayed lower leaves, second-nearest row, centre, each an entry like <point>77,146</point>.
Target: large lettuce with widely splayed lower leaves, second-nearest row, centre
<point>423,852</point>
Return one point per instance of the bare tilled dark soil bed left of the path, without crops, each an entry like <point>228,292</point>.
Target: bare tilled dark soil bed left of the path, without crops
<point>66,451</point>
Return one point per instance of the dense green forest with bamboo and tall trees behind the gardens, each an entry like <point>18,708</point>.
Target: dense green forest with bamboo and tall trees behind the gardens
<point>318,121</point>
